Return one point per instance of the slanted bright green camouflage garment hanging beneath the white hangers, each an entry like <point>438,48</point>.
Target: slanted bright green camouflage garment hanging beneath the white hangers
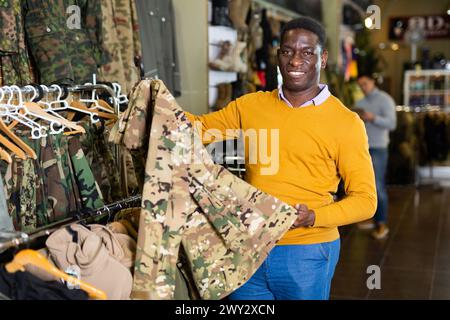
<point>89,189</point>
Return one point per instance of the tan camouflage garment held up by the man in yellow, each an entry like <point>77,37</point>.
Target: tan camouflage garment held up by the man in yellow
<point>224,226</point>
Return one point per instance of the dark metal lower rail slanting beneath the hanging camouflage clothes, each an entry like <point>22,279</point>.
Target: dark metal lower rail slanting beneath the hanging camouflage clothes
<point>14,239</point>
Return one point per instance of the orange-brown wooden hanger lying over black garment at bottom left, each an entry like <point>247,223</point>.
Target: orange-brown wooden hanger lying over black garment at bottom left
<point>36,259</point>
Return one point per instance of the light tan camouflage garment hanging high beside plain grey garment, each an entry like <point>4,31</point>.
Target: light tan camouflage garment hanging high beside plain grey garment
<point>121,39</point>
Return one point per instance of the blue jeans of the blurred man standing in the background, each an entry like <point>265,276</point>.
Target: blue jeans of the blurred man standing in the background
<point>379,160</point>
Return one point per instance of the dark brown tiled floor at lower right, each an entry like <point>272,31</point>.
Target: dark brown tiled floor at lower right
<point>414,260</point>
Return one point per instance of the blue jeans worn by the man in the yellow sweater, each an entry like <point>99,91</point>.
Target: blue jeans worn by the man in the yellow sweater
<point>293,272</point>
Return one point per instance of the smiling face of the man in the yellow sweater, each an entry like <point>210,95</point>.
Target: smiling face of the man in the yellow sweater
<point>301,58</point>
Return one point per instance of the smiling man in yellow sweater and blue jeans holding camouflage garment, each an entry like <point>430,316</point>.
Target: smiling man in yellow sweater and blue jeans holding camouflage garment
<point>315,141</point>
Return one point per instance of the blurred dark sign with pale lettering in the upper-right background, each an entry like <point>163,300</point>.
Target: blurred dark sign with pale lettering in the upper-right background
<point>433,26</point>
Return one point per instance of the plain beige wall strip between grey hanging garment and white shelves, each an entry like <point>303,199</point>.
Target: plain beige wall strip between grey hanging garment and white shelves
<point>192,41</point>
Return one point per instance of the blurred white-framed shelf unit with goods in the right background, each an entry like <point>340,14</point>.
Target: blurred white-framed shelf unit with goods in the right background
<point>427,88</point>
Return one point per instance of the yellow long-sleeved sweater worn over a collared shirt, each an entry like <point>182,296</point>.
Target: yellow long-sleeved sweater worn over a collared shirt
<point>317,145</point>
